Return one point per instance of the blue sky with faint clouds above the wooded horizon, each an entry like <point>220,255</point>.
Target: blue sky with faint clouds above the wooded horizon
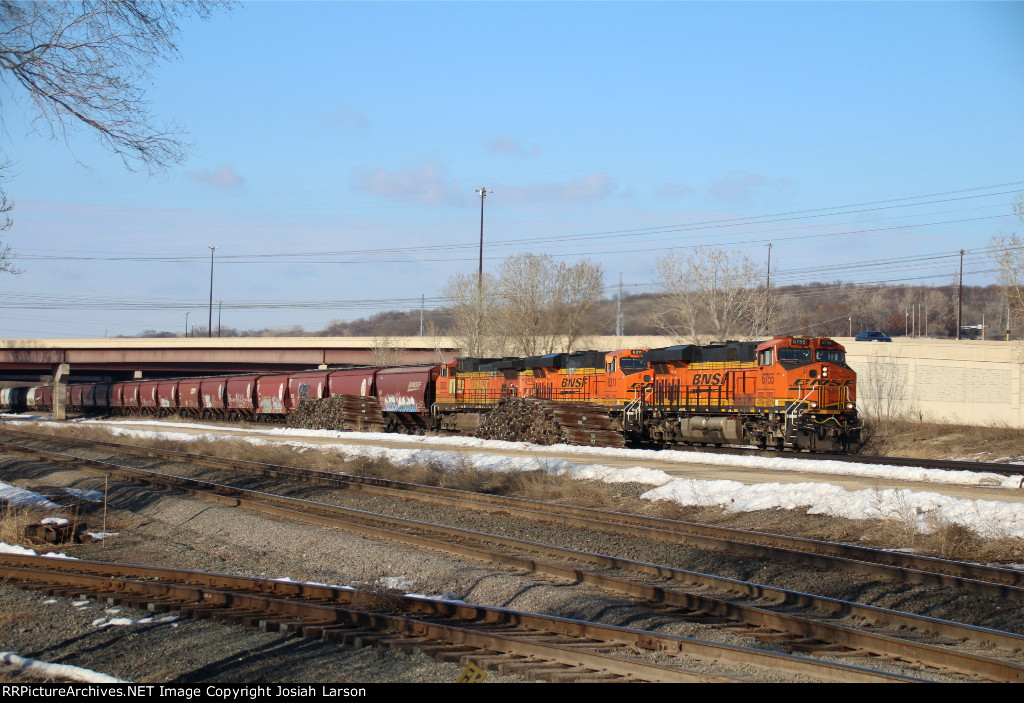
<point>356,135</point>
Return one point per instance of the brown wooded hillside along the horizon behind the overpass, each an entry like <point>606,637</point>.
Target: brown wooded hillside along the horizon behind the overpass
<point>836,310</point>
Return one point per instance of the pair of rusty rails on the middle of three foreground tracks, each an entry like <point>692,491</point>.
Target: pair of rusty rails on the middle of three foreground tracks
<point>334,516</point>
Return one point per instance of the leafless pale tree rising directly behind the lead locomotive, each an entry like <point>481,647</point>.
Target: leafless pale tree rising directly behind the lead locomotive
<point>710,294</point>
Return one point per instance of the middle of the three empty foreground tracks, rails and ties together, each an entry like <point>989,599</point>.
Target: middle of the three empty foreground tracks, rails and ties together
<point>726,602</point>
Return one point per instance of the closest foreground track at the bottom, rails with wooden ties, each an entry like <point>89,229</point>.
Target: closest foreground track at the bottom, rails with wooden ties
<point>535,646</point>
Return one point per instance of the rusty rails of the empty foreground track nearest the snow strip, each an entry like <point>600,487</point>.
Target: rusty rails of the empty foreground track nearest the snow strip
<point>897,566</point>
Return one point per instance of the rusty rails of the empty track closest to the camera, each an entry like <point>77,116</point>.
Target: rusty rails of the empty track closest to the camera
<point>324,610</point>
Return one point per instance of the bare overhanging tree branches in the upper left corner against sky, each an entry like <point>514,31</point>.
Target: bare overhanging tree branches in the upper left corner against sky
<point>87,65</point>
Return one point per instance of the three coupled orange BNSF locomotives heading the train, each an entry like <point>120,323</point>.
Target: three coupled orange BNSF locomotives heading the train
<point>790,392</point>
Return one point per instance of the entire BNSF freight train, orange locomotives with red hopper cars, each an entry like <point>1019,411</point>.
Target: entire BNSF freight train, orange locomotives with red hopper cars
<point>791,392</point>
